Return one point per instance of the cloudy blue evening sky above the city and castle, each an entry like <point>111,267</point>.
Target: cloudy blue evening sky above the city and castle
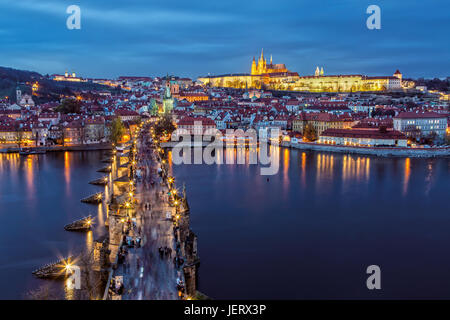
<point>193,38</point>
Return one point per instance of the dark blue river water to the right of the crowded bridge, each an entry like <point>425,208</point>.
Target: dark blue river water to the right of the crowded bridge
<point>311,230</point>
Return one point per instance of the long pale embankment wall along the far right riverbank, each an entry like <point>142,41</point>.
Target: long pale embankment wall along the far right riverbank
<point>374,151</point>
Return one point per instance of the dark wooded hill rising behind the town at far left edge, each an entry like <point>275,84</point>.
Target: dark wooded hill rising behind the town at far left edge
<point>49,90</point>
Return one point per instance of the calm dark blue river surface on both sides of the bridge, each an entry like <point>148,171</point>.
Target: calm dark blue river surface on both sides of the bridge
<point>308,232</point>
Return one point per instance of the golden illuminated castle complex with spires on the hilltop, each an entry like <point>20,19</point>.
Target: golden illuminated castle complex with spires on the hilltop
<point>278,77</point>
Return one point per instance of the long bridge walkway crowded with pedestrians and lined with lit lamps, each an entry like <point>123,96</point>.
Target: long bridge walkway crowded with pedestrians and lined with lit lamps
<point>151,258</point>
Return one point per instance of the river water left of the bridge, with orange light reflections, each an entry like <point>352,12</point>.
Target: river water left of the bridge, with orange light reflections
<point>40,194</point>
